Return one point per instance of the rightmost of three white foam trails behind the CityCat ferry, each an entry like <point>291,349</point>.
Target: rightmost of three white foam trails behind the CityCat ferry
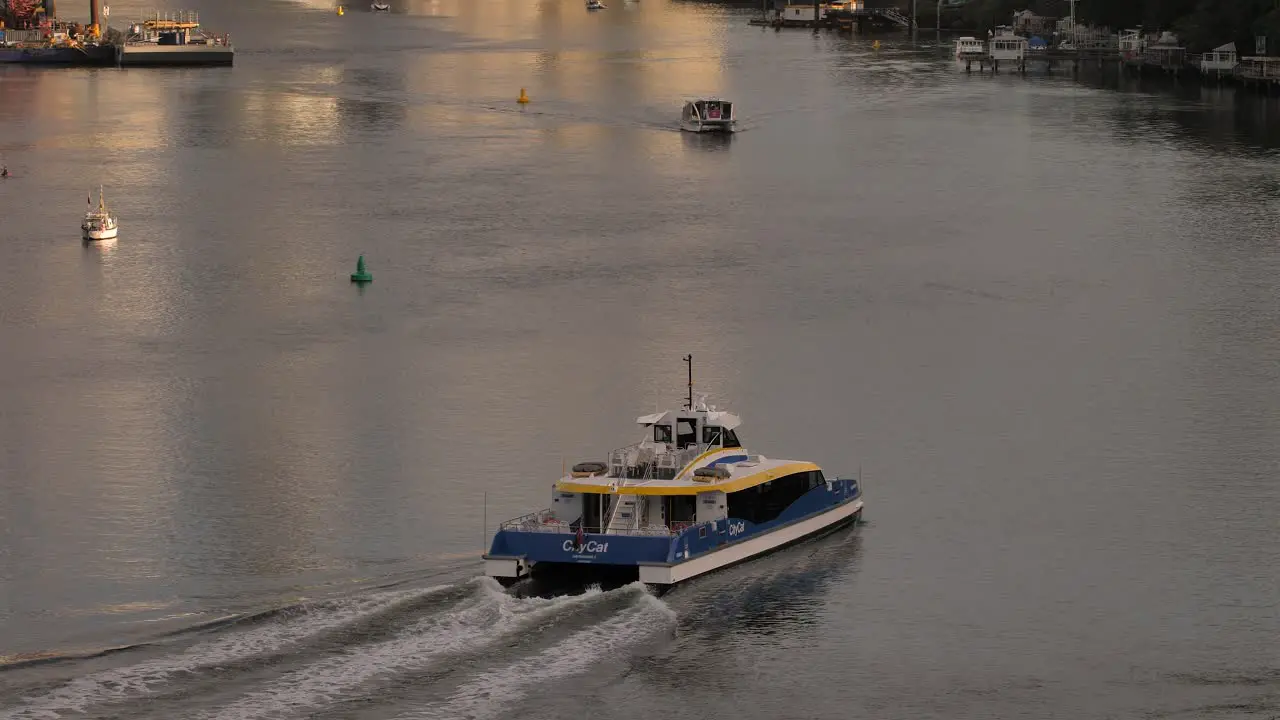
<point>490,694</point>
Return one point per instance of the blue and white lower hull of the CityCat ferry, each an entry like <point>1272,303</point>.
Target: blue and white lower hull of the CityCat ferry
<point>700,549</point>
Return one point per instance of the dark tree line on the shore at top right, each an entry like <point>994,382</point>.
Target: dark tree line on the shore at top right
<point>1201,25</point>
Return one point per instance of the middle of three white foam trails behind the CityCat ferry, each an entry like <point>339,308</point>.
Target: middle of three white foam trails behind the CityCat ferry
<point>477,623</point>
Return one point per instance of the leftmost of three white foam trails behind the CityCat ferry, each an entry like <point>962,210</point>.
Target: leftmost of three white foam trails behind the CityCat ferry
<point>143,678</point>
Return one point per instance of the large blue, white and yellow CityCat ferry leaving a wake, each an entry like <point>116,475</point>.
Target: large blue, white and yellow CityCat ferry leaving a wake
<point>685,500</point>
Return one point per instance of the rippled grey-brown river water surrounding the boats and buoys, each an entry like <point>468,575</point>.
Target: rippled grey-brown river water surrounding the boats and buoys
<point>1037,315</point>
